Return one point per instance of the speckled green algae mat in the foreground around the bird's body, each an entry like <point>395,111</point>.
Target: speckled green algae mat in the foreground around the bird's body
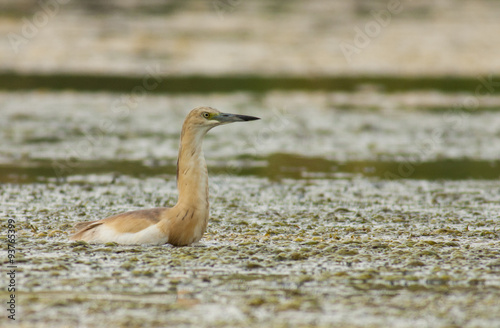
<point>296,253</point>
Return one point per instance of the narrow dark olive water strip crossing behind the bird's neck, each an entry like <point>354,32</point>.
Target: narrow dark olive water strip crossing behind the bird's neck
<point>274,167</point>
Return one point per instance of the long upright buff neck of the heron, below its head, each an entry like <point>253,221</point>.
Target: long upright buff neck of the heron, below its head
<point>192,174</point>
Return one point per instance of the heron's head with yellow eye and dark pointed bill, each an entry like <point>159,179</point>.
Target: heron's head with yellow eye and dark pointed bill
<point>205,118</point>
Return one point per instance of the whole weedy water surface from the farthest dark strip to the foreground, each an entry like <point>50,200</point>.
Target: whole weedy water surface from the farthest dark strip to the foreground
<point>336,209</point>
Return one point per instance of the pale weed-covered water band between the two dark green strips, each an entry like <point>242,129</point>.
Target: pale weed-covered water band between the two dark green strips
<point>367,125</point>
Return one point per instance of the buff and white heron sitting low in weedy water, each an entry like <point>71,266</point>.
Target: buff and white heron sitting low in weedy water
<point>186,222</point>
